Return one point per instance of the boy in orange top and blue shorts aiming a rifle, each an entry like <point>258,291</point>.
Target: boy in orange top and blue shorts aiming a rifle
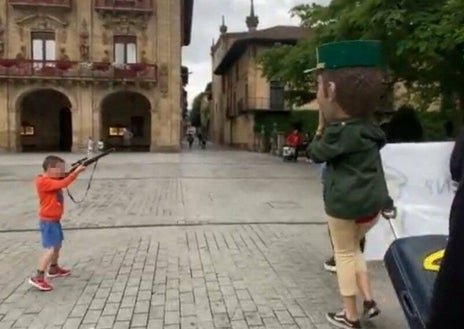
<point>49,187</point>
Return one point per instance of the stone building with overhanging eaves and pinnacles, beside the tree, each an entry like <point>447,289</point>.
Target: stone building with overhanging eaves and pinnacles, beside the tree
<point>239,90</point>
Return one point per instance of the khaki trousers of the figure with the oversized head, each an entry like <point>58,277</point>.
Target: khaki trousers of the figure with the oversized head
<point>346,236</point>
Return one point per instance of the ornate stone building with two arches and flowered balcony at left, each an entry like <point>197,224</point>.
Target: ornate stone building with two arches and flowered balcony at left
<point>71,69</point>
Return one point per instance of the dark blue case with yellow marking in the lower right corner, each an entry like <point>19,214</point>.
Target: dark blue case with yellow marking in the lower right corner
<point>404,261</point>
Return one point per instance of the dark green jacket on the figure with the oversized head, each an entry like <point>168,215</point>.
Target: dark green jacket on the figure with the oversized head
<point>354,183</point>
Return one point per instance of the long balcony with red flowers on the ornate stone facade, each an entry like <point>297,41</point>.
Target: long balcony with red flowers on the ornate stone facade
<point>95,72</point>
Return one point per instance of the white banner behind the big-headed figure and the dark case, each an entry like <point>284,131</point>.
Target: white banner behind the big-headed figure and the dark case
<point>419,181</point>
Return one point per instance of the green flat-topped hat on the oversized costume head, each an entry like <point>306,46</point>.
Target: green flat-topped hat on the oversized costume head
<point>354,53</point>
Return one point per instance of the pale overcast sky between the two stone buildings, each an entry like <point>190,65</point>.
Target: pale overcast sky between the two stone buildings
<point>206,21</point>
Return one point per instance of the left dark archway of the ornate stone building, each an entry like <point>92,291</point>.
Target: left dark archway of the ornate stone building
<point>45,122</point>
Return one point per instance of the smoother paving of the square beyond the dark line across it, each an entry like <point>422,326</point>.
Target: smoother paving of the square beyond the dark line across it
<point>198,187</point>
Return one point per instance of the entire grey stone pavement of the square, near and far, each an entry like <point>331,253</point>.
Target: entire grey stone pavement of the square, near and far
<point>255,263</point>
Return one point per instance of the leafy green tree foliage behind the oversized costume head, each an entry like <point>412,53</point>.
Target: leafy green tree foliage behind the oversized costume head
<point>423,40</point>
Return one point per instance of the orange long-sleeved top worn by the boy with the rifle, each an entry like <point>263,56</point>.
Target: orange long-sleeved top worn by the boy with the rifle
<point>50,195</point>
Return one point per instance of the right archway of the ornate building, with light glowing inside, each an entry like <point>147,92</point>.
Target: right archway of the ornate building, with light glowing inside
<point>126,121</point>
